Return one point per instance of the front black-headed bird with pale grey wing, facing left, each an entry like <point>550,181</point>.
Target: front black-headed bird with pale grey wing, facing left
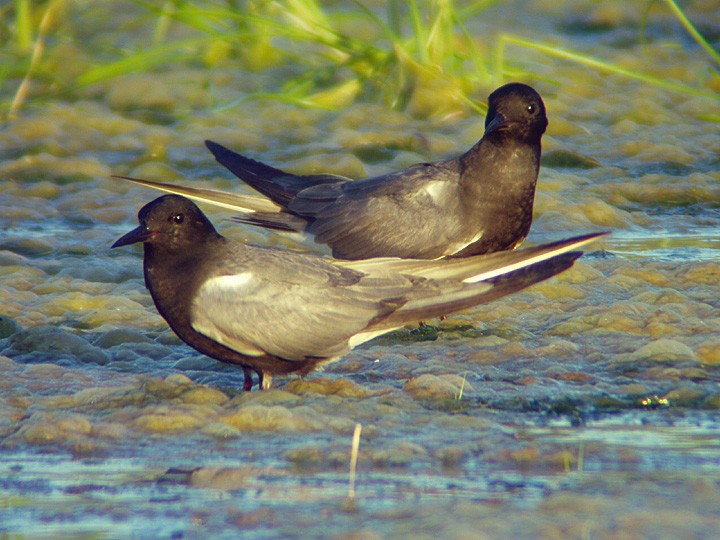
<point>274,311</point>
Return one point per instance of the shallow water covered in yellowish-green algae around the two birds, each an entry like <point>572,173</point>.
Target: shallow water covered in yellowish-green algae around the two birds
<point>583,407</point>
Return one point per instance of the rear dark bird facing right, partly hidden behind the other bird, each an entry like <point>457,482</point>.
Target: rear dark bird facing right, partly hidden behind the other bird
<point>480,202</point>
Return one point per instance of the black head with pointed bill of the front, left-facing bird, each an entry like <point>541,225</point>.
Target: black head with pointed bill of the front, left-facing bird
<point>170,221</point>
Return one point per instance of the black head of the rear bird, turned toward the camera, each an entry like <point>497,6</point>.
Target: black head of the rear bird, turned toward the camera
<point>516,110</point>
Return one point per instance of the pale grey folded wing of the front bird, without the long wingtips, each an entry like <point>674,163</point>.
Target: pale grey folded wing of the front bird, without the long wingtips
<point>293,307</point>
